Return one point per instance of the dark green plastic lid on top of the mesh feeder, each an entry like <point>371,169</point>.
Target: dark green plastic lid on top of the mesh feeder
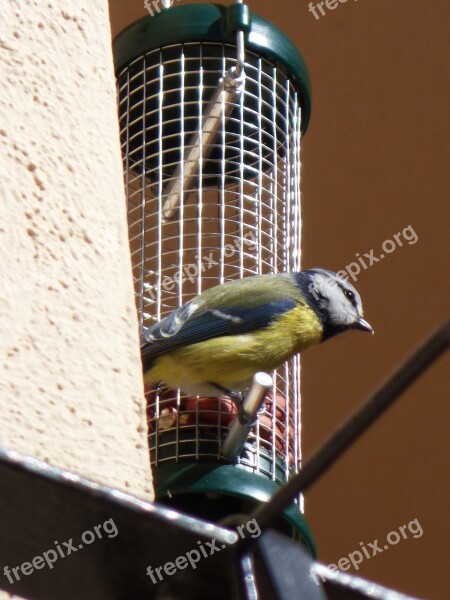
<point>215,23</point>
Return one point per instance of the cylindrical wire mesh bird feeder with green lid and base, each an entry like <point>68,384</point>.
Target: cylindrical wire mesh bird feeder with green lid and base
<point>213,102</point>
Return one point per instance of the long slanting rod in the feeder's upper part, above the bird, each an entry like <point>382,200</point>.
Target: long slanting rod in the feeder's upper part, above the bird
<point>201,143</point>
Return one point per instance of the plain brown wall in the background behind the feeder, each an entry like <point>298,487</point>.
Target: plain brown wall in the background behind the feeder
<point>374,161</point>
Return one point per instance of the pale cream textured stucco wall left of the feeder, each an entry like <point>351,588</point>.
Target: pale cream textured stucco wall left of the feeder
<point>70,378</point>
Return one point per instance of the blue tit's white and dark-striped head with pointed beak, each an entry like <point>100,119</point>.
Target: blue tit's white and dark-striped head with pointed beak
<point>335,300</point>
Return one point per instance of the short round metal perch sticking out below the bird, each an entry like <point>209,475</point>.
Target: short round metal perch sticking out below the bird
<point>246,419</point>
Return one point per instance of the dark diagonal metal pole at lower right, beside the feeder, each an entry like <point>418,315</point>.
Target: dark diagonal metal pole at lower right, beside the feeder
<point>327,454</point>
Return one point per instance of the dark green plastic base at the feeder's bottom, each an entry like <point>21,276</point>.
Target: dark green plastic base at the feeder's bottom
<point>215,491</point>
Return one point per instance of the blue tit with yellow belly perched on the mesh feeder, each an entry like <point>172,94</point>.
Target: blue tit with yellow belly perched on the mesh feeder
<point>217,341</point>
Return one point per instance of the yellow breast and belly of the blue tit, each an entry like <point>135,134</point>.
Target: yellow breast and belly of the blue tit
<point>229,360</point>
